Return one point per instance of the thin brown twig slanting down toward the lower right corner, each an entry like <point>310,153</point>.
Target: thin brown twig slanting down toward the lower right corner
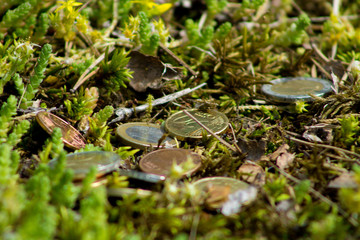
<point>317,194</point>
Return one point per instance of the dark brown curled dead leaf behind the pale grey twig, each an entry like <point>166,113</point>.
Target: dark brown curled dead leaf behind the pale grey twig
<point>149,72</point>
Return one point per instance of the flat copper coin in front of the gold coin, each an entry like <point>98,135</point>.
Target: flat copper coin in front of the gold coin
<point>160,161</point>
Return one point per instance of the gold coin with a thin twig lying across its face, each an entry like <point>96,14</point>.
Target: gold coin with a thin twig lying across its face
<point>183,127</point>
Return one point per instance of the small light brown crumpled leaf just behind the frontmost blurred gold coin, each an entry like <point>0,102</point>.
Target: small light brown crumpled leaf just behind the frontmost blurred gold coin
<point>252,173</point>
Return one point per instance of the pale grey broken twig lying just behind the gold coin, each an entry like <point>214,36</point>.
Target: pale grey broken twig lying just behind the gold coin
<point>124,113</point>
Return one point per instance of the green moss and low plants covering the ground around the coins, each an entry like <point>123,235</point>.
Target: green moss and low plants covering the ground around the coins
<point>72,57</point>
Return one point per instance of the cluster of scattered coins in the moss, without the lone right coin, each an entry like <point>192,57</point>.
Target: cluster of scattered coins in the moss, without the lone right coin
<point>156,165</point>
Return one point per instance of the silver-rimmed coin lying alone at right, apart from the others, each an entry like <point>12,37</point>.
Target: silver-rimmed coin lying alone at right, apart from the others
<point>295,89</point>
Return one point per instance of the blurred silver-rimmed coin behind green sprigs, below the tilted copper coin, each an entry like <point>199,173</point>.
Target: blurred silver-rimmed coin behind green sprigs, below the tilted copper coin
<point>81,163</point>
